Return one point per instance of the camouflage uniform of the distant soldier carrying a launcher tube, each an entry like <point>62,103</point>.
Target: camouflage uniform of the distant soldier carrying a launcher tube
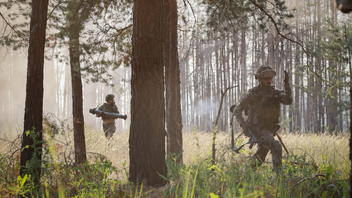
<point>108,123</point>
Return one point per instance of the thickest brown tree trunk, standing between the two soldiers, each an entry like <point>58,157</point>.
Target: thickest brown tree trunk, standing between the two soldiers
<point>147,132</point>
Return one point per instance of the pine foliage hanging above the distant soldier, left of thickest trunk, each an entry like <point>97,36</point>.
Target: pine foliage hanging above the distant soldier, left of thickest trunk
<point>105,30</point>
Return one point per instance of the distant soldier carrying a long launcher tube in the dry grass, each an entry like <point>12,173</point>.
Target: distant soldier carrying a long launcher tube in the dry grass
<point>108,122</point>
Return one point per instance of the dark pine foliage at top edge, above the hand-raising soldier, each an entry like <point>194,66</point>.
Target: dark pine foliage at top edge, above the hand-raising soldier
<point>228,15</point>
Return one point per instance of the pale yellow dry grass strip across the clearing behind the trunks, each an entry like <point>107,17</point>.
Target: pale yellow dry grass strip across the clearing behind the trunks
<point>322,148</point>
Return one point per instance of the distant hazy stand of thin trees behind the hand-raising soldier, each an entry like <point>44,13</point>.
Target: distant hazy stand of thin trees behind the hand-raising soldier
<point>318,62</point>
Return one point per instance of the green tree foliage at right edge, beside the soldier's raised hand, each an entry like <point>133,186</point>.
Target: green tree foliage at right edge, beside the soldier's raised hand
<point>333,44</point>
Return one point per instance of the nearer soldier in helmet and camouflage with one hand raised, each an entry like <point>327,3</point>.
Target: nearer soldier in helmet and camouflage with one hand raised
<point>262,106</point>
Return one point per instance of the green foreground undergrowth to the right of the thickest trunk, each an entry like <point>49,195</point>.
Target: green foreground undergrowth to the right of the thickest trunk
<point>229,178</point>
